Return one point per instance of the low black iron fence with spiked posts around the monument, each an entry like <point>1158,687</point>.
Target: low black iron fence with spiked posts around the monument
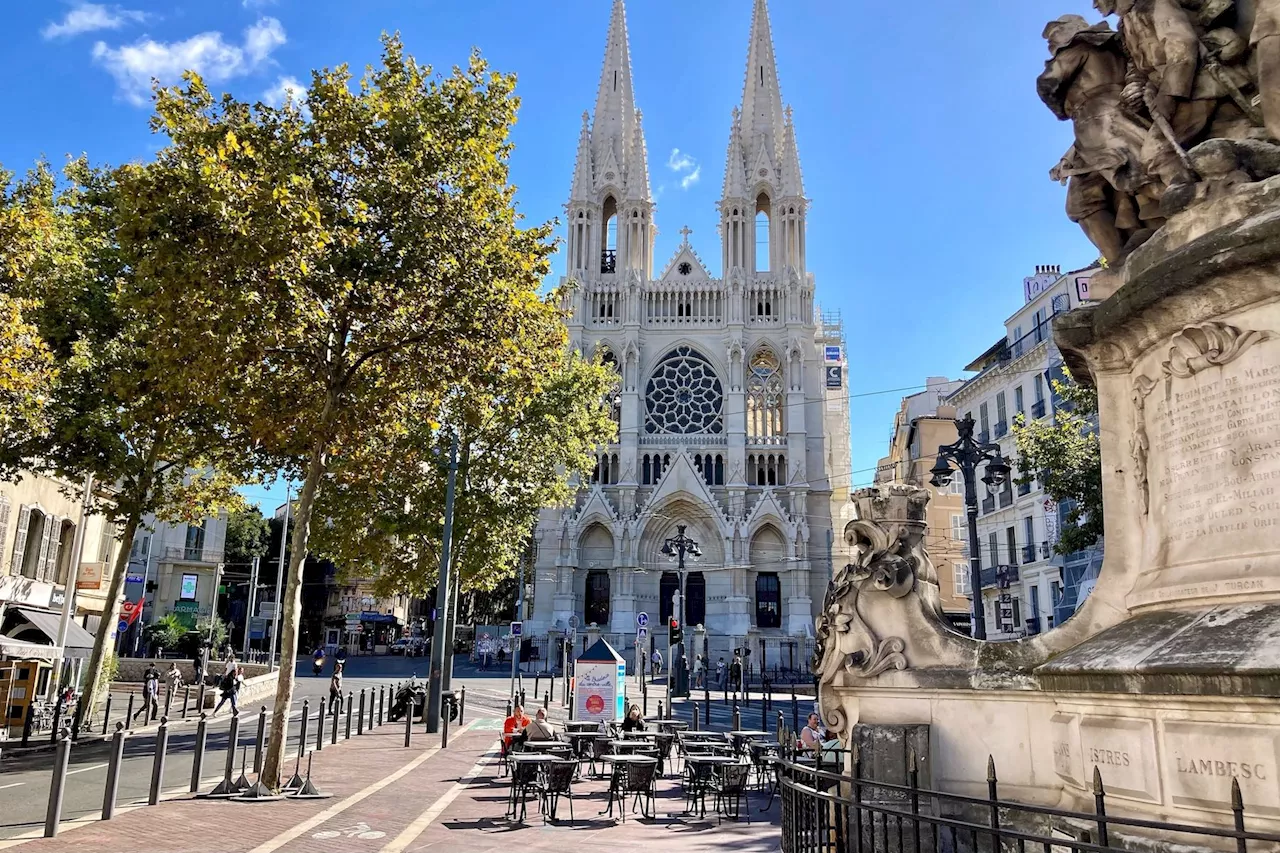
<point>826,811</point>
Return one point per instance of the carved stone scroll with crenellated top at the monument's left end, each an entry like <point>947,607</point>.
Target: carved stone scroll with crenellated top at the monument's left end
<point>888,540</point>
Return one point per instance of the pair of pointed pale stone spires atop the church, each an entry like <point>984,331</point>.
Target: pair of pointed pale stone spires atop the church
<point>611,203</point>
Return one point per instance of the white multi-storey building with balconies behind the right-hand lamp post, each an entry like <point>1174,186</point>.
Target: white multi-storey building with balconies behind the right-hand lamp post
<point>1027,587</point>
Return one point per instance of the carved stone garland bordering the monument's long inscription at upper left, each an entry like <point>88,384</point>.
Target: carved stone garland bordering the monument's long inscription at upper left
<point>1190,352</point>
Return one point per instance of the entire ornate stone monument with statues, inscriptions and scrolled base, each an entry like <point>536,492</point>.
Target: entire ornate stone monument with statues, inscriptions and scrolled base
<point>1164,682</point>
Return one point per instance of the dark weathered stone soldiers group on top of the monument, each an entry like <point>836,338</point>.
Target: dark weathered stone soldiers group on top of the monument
<point>1196,115</point>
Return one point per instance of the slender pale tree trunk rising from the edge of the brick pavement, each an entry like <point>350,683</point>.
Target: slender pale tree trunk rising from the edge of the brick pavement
<point>292,613</point>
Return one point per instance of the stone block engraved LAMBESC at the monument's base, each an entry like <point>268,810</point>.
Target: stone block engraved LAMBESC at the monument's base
<point>1203,759</point>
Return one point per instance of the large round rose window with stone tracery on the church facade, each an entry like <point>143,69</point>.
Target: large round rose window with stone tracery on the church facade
<point>684,395</point>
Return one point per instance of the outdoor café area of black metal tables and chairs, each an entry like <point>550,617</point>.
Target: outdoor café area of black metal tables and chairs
<point>600,773</point>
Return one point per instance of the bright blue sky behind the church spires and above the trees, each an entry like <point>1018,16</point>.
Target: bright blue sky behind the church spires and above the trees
<point>925,149</point>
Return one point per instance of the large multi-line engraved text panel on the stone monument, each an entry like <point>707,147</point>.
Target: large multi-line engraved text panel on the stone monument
<point>1215,460</point>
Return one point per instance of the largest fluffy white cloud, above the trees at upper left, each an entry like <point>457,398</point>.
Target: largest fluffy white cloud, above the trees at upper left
<point>208,54</point>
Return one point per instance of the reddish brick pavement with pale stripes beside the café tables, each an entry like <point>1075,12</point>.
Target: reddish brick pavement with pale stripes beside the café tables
<point>390,800</point>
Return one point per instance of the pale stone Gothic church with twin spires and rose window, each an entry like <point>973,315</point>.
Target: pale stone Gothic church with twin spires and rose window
<point>732,400</point>
